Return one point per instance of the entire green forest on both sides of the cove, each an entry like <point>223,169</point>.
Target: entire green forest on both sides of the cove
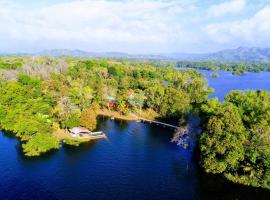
<point>41,95</point>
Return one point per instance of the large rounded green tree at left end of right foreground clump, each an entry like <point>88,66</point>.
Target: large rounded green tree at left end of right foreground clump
<point>222,142</point>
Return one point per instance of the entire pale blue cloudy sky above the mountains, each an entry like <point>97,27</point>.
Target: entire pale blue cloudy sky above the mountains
<point>133,26</point>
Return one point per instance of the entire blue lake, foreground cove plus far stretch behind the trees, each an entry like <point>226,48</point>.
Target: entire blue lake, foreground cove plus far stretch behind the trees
<point>137,161</point>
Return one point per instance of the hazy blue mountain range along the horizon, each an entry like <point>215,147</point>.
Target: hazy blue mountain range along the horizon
<point>241,54</point>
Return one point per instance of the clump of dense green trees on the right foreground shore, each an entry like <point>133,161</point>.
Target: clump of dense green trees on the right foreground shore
<point>236,137</point>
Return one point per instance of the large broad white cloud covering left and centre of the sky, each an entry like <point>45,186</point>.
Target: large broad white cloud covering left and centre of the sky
<point>95,23</point>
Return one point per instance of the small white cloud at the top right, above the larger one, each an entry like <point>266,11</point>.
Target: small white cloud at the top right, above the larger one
<point>227,7</point>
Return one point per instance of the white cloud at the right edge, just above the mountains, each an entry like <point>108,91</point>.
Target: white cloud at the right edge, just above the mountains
<point>252,31</point>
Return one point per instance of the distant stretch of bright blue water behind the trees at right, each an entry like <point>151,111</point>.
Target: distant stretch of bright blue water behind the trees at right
<point>227,82</point>
